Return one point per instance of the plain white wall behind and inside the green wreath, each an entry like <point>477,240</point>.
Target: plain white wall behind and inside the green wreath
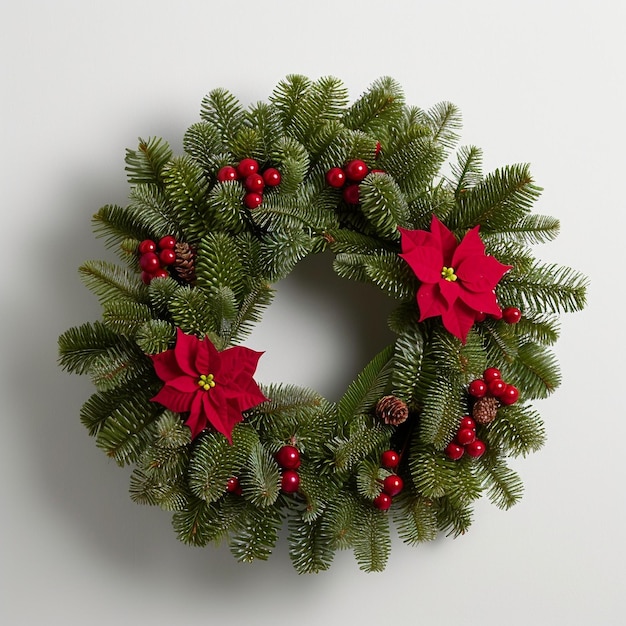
<point>537,81</point>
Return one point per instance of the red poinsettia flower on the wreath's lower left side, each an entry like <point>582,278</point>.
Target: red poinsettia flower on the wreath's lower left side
<point>213,387</point>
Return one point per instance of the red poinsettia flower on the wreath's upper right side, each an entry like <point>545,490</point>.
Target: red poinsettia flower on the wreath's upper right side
<point>458,279</point>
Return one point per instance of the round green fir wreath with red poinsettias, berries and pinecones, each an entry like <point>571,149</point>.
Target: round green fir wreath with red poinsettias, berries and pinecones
<point>427,426</point>
